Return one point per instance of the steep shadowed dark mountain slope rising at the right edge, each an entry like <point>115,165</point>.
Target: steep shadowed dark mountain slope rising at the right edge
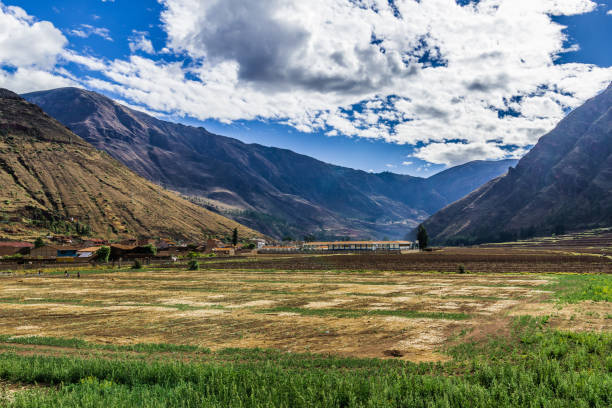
<point>563,183</point>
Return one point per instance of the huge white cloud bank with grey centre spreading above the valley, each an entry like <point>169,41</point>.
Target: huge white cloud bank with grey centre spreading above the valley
<point>462,82</point>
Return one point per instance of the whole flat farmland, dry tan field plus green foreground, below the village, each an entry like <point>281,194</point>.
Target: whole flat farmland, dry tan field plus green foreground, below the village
<point>458,327</point>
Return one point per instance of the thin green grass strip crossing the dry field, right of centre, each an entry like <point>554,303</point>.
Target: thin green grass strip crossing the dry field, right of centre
<point>355,313</point>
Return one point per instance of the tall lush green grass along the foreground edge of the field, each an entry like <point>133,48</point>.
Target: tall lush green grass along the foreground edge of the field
<point>534,366</point>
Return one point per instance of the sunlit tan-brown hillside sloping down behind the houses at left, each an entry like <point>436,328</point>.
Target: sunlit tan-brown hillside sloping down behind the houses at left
<point>52,180</point>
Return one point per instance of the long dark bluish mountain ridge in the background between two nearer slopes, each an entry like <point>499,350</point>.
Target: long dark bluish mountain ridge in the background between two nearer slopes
<point>273,190</point>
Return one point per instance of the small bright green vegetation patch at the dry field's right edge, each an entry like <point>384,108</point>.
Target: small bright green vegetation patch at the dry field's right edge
<point>576,288</point>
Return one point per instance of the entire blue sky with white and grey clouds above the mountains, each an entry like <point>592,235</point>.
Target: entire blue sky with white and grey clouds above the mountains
<point>406,86</point>
